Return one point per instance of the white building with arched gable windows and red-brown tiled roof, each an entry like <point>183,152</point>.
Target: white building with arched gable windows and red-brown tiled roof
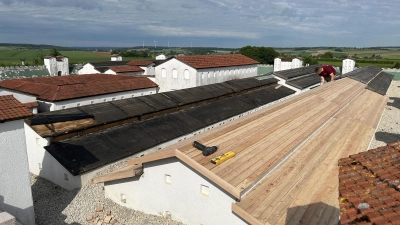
<point>182,72</point>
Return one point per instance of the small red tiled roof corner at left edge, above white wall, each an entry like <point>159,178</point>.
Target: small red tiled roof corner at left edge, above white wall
<point>12,109</point>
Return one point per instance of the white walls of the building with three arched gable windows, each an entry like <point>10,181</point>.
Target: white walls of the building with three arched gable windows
<point>197,77</point>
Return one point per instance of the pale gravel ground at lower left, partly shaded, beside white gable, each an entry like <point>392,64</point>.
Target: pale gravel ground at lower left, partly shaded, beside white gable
<point>54,205</point>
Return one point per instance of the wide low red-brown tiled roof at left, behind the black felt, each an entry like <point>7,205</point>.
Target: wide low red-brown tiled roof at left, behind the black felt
<point>76,86</point>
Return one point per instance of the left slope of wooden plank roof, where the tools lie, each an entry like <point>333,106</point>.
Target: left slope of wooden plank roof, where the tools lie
<point>261,140</point>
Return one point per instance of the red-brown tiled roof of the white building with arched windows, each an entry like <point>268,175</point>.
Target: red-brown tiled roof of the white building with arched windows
<point>212,61</point>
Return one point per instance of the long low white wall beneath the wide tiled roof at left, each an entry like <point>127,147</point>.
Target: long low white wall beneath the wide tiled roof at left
<point>52,106</point>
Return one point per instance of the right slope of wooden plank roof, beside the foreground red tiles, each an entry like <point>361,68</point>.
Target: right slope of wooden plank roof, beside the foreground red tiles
<point>304,188</point>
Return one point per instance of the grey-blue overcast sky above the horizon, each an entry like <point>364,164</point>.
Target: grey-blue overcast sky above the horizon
<point>201,23</point>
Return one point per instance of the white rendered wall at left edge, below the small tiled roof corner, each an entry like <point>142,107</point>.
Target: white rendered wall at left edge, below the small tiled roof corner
<point>15,187</point>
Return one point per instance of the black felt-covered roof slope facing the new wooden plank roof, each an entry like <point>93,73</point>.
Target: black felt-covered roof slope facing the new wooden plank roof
<point>84,153</point>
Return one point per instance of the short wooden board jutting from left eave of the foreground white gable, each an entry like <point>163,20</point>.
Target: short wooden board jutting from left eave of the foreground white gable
<point>126,172</point>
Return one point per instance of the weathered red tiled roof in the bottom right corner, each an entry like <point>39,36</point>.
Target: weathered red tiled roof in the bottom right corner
<point>369,186</point>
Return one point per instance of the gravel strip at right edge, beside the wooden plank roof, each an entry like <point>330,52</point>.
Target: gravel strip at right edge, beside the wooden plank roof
<point>388,129</point>
